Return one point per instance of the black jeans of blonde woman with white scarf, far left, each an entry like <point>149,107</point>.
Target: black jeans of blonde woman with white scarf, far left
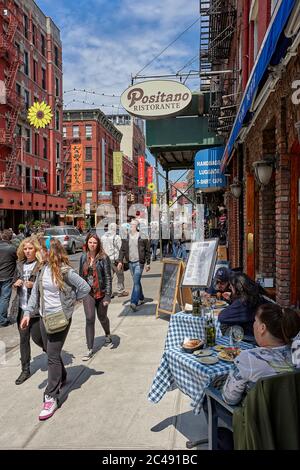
<point>32,330</point>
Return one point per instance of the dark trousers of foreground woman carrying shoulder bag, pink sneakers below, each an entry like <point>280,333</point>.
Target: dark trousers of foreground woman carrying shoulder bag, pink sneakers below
<point>53,345</point>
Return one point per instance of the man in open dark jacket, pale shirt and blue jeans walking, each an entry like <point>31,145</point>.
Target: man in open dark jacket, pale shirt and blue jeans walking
<point>135,250</point>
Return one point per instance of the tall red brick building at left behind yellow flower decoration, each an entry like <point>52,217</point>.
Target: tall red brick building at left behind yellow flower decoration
<point>31,179</point>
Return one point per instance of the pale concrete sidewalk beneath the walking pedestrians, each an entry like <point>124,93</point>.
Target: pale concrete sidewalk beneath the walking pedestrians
<point>106,405</point>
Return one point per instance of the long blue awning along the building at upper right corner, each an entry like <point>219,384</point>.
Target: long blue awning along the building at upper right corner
<point>265,55</point>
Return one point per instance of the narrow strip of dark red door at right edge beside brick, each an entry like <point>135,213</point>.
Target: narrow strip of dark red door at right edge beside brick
<point>295,229</point>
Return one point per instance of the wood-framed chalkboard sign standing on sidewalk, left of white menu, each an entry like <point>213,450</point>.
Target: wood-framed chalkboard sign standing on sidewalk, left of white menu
<point>169,287</point>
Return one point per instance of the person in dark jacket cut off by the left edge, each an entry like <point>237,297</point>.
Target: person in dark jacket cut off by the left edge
<point>8,259</point>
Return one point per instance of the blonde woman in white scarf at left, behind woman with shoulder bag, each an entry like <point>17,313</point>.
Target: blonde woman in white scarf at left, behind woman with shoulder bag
<point>28,265</point>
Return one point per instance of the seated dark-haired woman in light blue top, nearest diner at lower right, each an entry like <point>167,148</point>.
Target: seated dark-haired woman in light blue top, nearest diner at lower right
<point>274,330</point>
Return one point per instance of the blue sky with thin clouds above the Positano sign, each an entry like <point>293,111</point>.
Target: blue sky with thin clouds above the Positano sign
<point>107,41</point>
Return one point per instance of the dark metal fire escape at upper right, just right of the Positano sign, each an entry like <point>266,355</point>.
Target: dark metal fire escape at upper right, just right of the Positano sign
<point>217,26</point>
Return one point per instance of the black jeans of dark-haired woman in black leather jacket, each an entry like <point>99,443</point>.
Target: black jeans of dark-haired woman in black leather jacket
<point>91,306</point>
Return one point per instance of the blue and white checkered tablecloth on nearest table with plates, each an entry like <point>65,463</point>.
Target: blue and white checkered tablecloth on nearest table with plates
<point>184,371</point>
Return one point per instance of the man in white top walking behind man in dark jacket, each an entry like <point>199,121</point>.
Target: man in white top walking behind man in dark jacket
<point>112,243</point>
